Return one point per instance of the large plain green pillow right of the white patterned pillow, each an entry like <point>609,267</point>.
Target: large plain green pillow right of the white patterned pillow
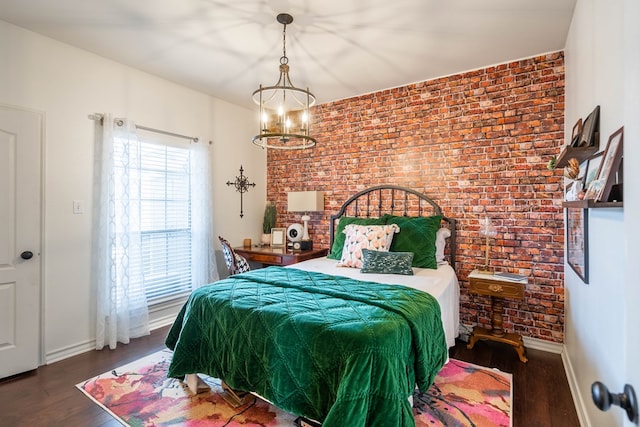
<point>417,235</point>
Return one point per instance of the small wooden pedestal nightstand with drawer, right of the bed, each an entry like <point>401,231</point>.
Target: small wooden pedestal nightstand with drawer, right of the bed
<point>498,289</point>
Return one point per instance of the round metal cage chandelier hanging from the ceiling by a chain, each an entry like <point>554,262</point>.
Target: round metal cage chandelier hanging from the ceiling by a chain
<point>284,108</point>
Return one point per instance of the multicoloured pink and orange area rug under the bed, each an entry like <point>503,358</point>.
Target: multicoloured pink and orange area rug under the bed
<point>140,394</point>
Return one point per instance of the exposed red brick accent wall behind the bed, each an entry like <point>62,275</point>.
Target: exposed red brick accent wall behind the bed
<point>475,140</point>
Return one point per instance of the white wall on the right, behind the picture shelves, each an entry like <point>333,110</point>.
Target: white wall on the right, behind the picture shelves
<point>597,61</point>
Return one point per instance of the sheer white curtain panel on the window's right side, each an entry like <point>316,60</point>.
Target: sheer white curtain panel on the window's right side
<point>203,263</point>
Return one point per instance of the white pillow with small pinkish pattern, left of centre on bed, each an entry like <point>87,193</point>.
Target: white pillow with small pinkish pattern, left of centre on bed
<point>359,237</point>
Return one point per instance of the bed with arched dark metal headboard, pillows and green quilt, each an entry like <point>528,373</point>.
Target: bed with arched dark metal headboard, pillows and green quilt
<point>331,343</point>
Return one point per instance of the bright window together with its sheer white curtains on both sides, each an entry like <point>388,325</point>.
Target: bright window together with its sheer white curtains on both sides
<point>152,225</point>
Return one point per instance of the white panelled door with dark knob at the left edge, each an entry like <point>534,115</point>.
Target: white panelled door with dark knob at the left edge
<point>20,239</point>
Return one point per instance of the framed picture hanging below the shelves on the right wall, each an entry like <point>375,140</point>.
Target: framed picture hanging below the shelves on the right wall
<point>578,242</point>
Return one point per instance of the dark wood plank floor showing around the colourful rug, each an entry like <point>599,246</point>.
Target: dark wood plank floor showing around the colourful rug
<point>48,397</point>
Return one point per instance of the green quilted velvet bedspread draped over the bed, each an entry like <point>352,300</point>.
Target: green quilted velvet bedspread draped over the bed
<point>337,350</point>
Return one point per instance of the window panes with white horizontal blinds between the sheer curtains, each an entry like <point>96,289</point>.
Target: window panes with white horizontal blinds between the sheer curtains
<point>165,217</point>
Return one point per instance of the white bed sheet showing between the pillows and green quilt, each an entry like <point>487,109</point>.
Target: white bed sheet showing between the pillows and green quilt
<point>441,283</point>
